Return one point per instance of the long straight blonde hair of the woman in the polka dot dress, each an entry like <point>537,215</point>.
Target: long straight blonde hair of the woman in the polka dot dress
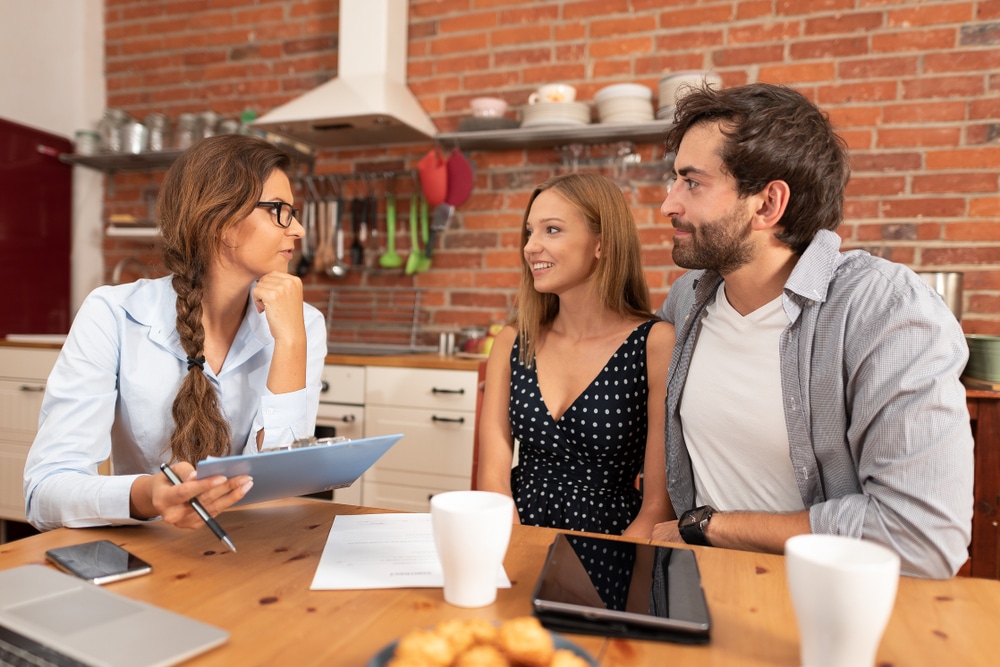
<point>620,281</point>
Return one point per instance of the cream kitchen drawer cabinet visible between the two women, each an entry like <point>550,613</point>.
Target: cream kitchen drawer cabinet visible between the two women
<point>435,409</point>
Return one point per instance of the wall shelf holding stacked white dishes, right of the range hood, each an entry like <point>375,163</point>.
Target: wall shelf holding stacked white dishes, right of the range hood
<point>556,135</point>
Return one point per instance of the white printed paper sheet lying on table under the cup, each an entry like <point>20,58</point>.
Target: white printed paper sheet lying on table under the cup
<point>382,551</point>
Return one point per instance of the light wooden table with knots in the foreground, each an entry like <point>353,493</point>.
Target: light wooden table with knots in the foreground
<point>261,596</point>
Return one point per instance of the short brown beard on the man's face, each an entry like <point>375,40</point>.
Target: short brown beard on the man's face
<point>722,245</point>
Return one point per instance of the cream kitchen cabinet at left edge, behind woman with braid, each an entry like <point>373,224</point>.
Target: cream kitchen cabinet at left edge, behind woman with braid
<point>23,372</point>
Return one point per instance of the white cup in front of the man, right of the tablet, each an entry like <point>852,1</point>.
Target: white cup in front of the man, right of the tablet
<point>843,590</point>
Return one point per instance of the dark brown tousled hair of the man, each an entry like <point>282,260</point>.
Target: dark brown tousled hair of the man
<point>774,133</point>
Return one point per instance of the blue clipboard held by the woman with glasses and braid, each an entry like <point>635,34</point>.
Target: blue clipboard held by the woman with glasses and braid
<point>297,472</point>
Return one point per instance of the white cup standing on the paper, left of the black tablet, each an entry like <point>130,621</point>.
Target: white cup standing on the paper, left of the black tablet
<point>471,533</point>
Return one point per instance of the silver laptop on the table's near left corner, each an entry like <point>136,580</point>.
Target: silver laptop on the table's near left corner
<point>92,625</point>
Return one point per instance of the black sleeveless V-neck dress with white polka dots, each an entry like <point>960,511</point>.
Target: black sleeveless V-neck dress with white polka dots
<point>579,473</point>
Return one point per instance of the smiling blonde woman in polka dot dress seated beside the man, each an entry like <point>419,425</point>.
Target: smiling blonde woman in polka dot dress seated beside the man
<point>578,376</point>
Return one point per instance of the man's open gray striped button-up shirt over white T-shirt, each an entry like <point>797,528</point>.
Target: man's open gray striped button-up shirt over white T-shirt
<point>878,427</point>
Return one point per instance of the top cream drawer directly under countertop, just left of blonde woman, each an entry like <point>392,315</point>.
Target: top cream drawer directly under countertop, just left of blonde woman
<point>421,388</point>
